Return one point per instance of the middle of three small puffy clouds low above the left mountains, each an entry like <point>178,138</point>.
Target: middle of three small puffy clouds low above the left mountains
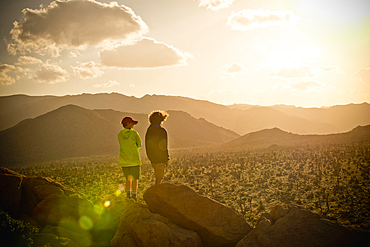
<point>50,74</point>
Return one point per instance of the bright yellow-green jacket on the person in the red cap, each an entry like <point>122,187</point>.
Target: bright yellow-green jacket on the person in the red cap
<point>130,143</point>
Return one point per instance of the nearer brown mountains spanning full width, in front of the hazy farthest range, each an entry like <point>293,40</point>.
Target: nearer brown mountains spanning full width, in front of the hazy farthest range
<point>73,131</point>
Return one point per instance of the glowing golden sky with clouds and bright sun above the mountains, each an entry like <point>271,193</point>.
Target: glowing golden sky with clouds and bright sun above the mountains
<point>307,53</point>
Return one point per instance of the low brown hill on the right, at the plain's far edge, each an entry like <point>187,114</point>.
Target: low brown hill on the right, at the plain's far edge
<point>277,137</point>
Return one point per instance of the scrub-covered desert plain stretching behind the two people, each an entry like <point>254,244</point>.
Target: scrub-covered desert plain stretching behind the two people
<point>332,180</point>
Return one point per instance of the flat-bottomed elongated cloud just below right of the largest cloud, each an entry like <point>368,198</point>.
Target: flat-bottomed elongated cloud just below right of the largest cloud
<point>146,53</point>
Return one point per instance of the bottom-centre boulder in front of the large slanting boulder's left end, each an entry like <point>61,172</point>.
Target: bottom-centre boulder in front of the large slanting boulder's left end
<point>140,227</point>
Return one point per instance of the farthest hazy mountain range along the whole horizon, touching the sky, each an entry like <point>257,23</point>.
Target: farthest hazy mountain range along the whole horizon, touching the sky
<point>241,119</point>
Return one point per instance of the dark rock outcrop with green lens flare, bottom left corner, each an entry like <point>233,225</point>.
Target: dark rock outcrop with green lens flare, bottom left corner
<point>63,217</point>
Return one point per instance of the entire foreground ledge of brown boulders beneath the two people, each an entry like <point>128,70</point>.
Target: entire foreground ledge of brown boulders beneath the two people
<point>174,215</point>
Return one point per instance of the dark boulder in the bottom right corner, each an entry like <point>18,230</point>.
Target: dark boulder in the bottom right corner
<point>292,225</point>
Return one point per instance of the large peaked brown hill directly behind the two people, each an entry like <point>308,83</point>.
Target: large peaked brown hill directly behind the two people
<point>73,131</point>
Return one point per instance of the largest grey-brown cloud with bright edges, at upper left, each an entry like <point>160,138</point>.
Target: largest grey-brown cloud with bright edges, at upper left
<point>74,24</point>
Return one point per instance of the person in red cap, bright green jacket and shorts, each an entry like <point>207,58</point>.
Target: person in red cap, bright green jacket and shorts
<point>129,157</point>
